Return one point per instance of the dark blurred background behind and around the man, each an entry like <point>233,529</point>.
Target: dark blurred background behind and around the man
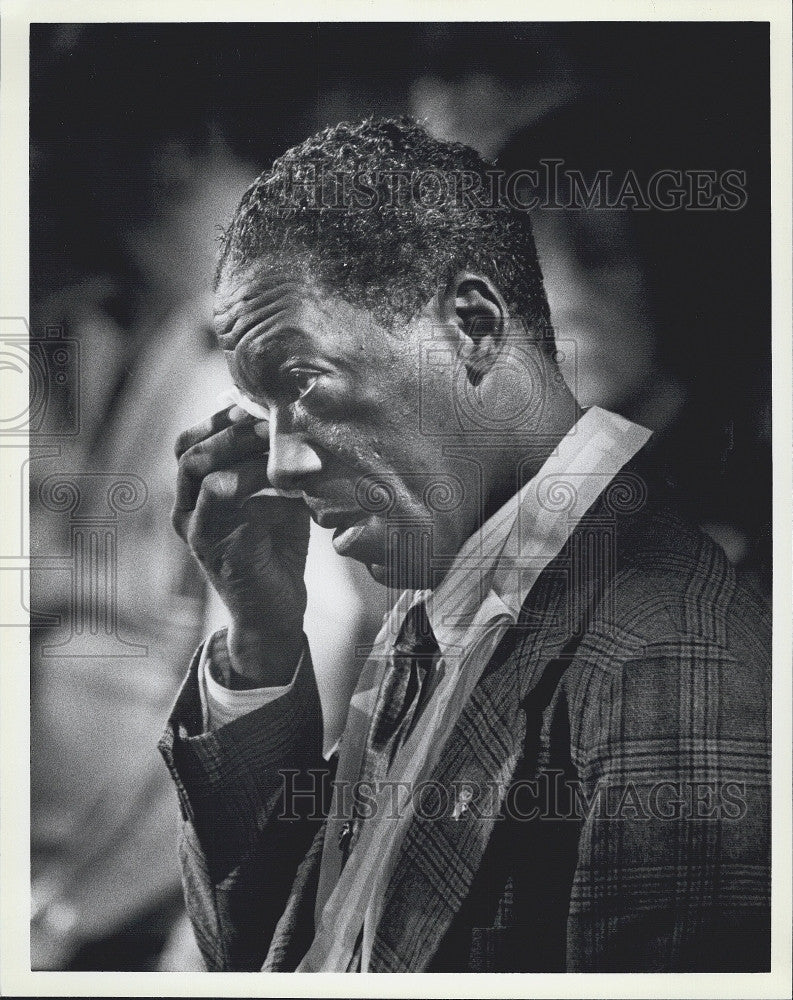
<point>144,136</point>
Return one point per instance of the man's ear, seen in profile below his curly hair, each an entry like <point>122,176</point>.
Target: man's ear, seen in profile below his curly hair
<point>475,307</point>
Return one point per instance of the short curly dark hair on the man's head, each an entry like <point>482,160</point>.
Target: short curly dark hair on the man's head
<point>365,210</point>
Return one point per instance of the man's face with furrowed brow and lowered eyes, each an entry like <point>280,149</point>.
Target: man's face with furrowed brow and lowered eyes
<point>356,421</point>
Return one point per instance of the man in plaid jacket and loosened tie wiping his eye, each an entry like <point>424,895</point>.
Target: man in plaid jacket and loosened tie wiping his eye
<point>556,755</point>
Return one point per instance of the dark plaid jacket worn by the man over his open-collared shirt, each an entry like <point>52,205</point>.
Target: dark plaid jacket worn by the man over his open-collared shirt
<point>616,753</point>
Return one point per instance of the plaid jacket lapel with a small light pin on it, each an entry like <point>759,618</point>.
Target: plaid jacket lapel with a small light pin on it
<point>440,857</point>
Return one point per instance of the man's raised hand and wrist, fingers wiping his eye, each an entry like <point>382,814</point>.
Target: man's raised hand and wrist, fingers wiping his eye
<point>252,549</point>
